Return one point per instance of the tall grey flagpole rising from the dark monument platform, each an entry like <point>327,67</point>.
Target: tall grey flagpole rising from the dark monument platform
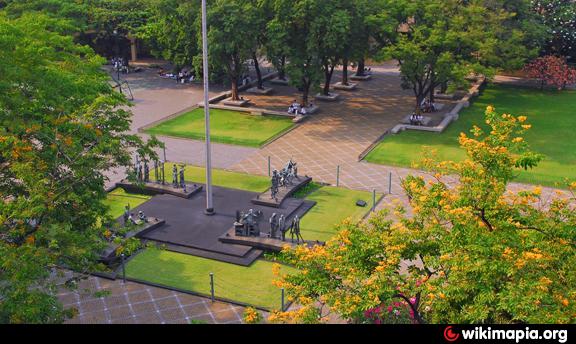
<point>209,206</point>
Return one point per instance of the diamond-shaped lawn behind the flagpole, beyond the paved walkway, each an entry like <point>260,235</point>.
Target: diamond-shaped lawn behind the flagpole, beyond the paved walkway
<point>226,126</point>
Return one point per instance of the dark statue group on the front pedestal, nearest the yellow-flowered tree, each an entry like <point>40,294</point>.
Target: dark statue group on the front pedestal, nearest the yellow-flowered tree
<point>247,224</point>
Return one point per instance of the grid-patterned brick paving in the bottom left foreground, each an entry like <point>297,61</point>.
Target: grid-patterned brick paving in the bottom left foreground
<point>134,303</point>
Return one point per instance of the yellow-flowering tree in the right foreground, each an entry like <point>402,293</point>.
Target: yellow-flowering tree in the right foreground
<point>471,251</point>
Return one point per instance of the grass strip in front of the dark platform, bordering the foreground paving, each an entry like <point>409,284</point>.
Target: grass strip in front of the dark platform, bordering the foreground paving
<point>252,285</point>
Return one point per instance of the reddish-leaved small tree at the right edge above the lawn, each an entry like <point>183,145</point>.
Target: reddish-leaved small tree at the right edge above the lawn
<point>551,70</point>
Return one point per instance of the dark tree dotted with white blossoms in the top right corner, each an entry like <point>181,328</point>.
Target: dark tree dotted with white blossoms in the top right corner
<point>559,18</point>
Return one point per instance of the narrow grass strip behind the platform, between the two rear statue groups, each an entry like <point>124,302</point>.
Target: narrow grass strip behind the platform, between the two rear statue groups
<point>228,179</point>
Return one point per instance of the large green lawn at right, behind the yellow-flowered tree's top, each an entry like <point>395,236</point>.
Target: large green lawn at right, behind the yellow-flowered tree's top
<point>551,113</point>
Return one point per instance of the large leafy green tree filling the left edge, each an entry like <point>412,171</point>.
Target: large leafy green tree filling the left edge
<point>61,128</point>
